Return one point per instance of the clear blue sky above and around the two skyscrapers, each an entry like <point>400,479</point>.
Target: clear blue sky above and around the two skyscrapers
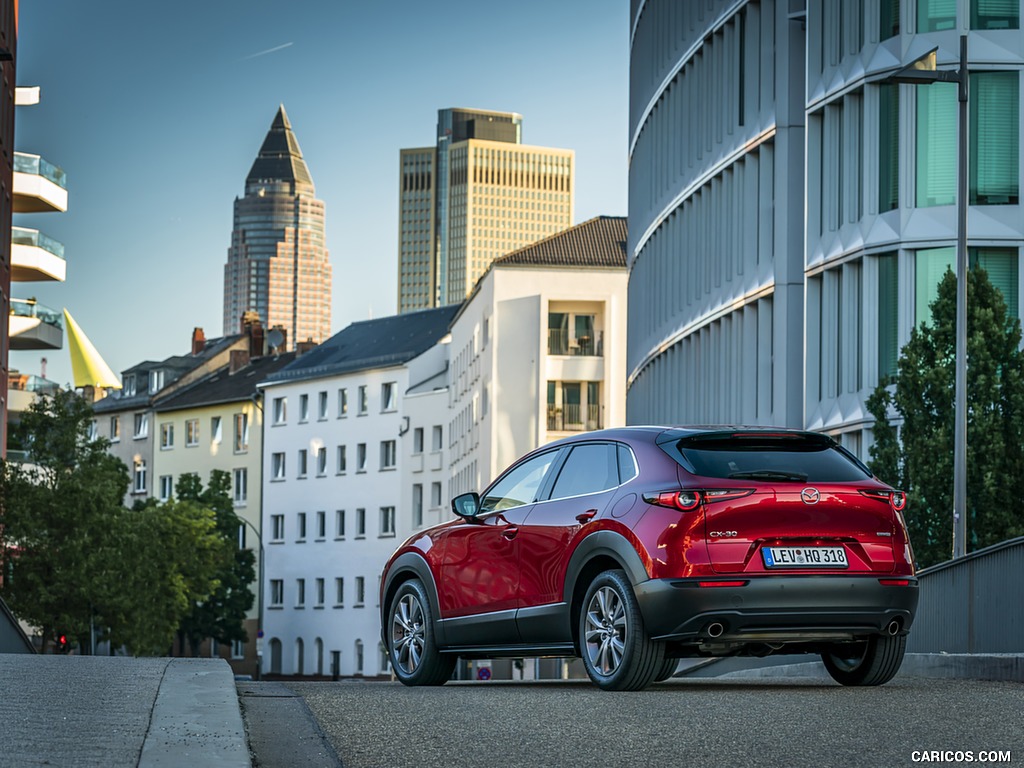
<point>156,112</point>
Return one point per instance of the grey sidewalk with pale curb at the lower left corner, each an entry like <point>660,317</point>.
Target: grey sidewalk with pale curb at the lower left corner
<point>102,711</point>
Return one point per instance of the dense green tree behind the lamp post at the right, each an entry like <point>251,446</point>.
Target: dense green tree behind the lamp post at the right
<point>919,457</point>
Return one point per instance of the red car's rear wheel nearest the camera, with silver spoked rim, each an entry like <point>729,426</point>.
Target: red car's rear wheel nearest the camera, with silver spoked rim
<point>617,651</point>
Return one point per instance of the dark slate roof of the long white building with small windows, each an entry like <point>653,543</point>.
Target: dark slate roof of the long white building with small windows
<point>375,344</point>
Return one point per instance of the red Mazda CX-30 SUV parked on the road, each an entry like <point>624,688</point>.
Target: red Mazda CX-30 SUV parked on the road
<point>633,548</point>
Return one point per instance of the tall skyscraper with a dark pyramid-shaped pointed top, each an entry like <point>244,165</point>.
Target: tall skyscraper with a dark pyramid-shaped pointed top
<point>278,264</point>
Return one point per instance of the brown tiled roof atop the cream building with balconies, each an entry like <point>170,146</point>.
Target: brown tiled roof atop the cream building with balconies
<point>600,242</point>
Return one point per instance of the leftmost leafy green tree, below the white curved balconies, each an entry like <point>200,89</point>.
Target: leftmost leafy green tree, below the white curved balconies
<point>56,519</point>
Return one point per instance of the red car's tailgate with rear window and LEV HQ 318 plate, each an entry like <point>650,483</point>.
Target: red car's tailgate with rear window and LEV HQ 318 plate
<point>805,511</point>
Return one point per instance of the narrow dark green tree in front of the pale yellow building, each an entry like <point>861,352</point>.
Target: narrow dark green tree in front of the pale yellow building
<point>222,615</point>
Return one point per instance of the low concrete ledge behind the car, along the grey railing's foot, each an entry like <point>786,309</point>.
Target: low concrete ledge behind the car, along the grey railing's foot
<point>959,666</point>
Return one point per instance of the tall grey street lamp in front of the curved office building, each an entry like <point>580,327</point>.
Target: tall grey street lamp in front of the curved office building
<point>923,72</point>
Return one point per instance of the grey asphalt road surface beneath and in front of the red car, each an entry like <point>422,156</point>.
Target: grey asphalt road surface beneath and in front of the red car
<point>782,723</point>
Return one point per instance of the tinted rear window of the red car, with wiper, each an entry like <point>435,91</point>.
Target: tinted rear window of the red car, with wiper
<point>760,458</point>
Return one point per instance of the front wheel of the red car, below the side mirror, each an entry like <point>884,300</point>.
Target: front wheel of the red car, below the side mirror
<point>412,645</point>
